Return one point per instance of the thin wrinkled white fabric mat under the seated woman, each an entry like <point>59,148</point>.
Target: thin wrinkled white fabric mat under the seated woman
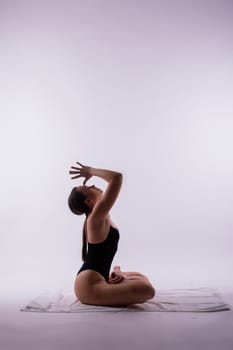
<point>172,300</point>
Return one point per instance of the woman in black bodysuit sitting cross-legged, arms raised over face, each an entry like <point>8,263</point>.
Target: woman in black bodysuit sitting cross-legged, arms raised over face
<point>93,285</point>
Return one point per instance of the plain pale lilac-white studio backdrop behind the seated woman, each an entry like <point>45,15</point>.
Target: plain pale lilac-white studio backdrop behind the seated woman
<point>142,87</point>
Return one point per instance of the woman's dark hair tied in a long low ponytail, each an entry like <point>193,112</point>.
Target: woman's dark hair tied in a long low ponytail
<point>77,205</point>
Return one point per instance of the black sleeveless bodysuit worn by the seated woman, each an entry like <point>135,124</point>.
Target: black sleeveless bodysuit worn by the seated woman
<point>100,255</point>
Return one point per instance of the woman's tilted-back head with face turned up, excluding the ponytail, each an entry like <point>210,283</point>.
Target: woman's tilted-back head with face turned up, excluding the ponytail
<point>82,199</point>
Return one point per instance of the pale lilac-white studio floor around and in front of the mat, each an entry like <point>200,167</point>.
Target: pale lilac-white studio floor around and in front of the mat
<point>138,331</point>
